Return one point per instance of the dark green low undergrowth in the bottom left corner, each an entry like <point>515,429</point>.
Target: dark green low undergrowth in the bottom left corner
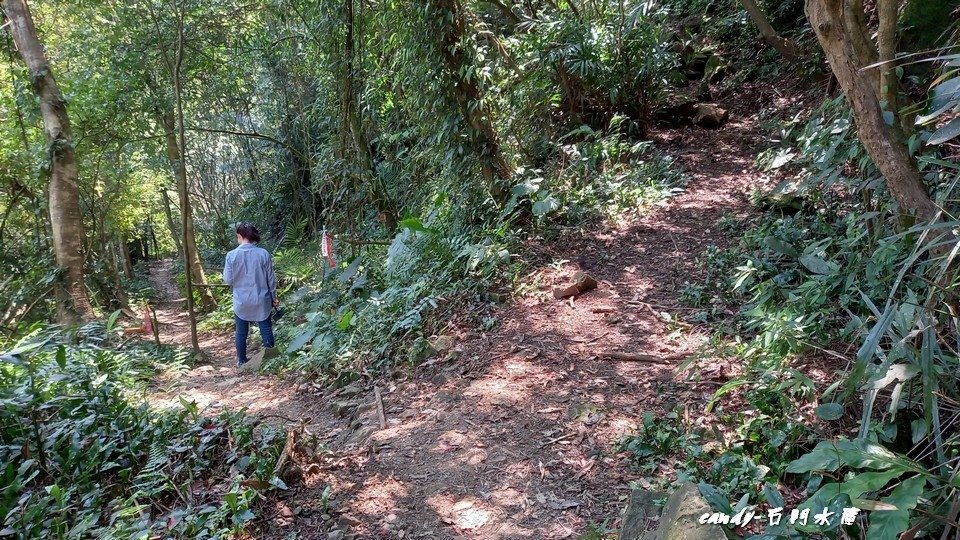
<point>84,456</point>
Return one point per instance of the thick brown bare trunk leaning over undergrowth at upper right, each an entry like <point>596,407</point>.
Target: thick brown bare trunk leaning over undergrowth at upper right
<point>890,155</point>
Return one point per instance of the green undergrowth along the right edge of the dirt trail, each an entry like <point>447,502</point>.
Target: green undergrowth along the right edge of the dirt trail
<point>825,424</point>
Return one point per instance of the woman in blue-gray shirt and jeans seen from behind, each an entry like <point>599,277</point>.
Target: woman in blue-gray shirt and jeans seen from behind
<point>249,271</point>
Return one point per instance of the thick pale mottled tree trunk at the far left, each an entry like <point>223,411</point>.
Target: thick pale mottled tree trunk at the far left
<point>73,305</point>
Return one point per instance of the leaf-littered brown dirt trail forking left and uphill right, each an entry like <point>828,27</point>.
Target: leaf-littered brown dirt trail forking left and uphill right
<point>516,437</point>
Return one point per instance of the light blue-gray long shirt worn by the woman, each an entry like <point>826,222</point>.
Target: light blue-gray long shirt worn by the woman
<point>249,270</point>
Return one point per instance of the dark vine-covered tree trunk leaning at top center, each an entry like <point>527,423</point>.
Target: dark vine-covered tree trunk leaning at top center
<point>494,166</point>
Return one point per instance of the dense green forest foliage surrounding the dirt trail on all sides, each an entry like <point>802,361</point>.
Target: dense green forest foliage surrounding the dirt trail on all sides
<point>431,139</point>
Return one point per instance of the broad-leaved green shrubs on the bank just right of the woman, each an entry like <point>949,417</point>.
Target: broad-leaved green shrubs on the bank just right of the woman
<point>374,310</point>
